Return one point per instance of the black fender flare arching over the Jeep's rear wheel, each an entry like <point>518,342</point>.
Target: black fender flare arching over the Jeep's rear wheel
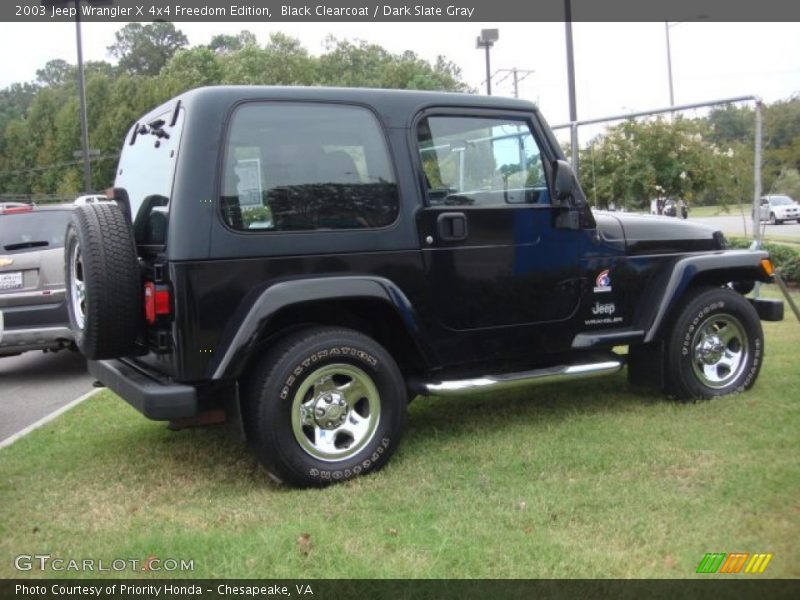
<point>252,317</point>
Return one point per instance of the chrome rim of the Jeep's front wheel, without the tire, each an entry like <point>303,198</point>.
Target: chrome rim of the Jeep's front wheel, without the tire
<point>720,351</point>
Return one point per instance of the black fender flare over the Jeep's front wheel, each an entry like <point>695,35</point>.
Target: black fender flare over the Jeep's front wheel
<point>719,268</point>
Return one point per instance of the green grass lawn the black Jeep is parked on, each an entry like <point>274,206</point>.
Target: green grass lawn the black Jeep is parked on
<point>585,479</point>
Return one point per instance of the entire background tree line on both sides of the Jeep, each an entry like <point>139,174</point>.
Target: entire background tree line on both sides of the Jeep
<point>703,160</point>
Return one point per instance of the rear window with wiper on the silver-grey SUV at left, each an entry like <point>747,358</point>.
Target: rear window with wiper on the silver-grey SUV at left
<point>37,230</point>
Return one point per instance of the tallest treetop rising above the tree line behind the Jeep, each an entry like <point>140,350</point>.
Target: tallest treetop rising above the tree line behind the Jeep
<point>145,49</point>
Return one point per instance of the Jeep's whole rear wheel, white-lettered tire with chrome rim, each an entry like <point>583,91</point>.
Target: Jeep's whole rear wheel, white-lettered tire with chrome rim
<point>325,405</point>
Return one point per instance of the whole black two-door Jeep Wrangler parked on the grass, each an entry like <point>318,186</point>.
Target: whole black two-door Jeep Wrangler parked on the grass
<point>314,258</point>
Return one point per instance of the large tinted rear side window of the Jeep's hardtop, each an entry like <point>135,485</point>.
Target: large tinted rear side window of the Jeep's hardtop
<point>303,167</point>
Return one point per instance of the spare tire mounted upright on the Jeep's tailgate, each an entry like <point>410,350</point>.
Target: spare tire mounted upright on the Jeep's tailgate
<point>104,292</point>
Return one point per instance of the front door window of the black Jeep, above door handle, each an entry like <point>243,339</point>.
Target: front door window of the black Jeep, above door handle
<point>474,161</point>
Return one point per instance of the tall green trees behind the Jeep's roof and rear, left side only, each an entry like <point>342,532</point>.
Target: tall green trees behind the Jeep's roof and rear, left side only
<point>40,120</point>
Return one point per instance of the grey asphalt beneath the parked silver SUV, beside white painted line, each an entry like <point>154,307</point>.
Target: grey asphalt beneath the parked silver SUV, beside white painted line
<point>34,384</point>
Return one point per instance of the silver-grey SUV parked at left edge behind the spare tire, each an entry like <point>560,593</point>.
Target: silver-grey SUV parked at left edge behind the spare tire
<point>33,314</point>
